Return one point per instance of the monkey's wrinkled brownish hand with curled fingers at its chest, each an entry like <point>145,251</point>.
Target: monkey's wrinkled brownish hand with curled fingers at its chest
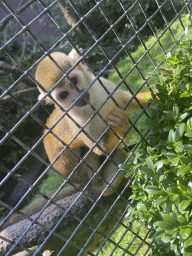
<point>118,119</point>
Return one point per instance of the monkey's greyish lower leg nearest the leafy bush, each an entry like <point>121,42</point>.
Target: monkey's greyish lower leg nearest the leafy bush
<point>110,170</point>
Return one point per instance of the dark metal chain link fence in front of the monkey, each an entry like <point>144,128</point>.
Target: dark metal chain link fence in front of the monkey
<point>43,211</point>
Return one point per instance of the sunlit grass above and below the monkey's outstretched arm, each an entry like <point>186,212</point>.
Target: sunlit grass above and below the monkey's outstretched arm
<point>145,61</point>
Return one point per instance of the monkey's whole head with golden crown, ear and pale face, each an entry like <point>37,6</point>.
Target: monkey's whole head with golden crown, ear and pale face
<point>70,90</point>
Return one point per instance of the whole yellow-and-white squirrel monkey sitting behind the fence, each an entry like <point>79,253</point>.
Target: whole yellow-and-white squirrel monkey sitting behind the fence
<point>95,135</point>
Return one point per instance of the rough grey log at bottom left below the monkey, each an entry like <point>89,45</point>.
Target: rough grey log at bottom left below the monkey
<point>48,219</point>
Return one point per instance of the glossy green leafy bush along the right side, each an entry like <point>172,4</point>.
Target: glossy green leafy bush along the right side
<point>163,168</point>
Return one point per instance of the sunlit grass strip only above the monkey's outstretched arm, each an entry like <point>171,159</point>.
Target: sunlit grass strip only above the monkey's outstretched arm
<point>142,56</point>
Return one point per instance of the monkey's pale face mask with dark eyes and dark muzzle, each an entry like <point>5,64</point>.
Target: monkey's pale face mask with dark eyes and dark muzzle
<point>72,91</point>
